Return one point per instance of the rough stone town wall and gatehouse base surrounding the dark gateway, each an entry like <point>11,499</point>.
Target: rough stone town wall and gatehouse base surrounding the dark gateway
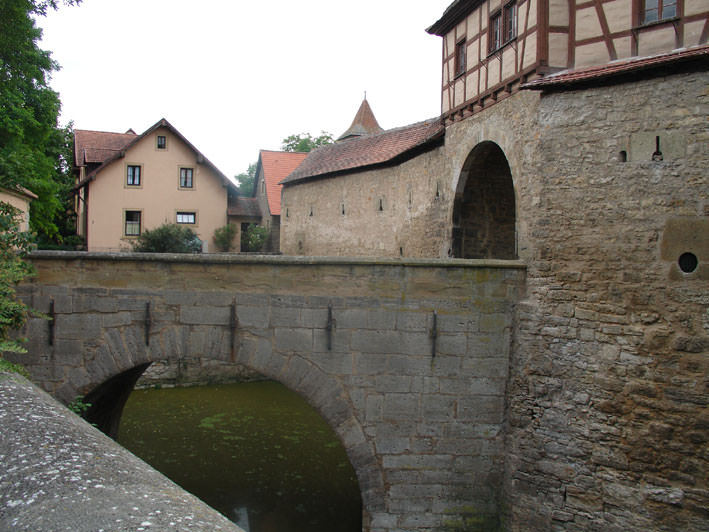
<point>607,422</point>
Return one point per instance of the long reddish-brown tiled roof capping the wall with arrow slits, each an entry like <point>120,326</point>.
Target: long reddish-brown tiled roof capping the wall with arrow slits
<point>359,153</point>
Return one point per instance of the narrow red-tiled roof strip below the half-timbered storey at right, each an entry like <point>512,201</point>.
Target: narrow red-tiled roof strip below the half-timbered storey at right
<point>616,68</point>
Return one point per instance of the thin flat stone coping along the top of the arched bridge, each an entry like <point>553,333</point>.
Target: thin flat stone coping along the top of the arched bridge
<point>236,258</point>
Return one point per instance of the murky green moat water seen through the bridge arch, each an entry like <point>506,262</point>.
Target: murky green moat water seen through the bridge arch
<point>256,452</point>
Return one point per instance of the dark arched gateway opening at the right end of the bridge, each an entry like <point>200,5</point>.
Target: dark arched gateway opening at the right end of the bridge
<point>484,215</point>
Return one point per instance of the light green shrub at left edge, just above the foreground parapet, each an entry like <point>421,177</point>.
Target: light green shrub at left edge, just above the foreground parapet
<point>14,244</point>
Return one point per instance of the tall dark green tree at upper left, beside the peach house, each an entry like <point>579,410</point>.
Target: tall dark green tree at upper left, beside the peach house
<point>32,147</point>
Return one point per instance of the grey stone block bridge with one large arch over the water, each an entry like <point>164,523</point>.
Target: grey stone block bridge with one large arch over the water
<point>406,359</point>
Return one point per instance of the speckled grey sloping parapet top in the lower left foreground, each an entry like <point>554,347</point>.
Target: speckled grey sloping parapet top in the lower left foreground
<point>61,474</point>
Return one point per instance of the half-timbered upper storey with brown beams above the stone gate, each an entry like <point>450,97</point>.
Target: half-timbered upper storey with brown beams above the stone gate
<point>548,36</point>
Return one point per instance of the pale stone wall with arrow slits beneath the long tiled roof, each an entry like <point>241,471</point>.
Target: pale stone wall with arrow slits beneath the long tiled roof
<point>399,211</point>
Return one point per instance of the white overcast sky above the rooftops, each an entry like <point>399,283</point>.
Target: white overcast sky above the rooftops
<point>236,76</point>
